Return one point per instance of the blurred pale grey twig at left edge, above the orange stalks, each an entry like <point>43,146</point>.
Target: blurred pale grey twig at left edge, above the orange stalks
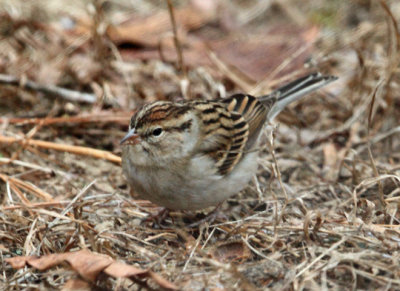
<point>66,94</point>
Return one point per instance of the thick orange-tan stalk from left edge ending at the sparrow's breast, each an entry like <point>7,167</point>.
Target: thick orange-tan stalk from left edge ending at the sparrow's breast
<point>85,151</point>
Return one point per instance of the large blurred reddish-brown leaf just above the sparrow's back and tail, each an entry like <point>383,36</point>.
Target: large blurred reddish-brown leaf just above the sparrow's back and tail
<point>258,55</point>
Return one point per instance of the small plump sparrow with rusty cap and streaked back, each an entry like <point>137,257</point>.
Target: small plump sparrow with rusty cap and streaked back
<point>194,154</point>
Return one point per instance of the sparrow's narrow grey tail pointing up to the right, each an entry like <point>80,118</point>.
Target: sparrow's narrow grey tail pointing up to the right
<point>280,98</point>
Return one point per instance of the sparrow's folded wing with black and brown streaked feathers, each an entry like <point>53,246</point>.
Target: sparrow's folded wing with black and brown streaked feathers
<point>231,127</point>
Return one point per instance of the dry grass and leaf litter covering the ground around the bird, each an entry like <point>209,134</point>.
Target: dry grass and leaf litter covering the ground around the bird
<point>322,212</point>
